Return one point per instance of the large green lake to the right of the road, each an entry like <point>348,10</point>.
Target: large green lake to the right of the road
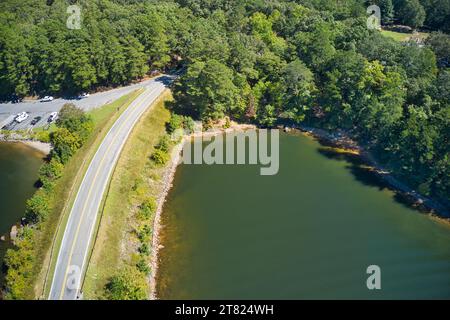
<point>309,232</point>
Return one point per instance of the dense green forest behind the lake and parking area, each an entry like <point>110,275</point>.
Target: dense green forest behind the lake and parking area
<point>266,62</point>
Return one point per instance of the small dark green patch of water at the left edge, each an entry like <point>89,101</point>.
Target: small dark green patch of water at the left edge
<point>19,166</point>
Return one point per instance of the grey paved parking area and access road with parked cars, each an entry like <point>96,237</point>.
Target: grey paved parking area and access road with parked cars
<point>43,109</point>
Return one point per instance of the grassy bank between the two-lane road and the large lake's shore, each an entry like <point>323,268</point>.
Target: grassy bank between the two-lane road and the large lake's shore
<point>134,179</point>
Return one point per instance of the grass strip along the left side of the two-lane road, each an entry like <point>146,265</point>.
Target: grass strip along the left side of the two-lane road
<point>67,187</point>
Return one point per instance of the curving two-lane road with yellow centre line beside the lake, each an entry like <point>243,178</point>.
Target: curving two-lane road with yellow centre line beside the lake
<point>71,263</point>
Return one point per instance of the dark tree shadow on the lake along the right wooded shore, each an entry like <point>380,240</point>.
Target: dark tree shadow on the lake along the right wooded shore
<point>365,174</point>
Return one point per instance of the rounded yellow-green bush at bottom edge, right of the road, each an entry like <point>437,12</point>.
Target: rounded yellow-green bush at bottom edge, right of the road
<point>127,284</point>
